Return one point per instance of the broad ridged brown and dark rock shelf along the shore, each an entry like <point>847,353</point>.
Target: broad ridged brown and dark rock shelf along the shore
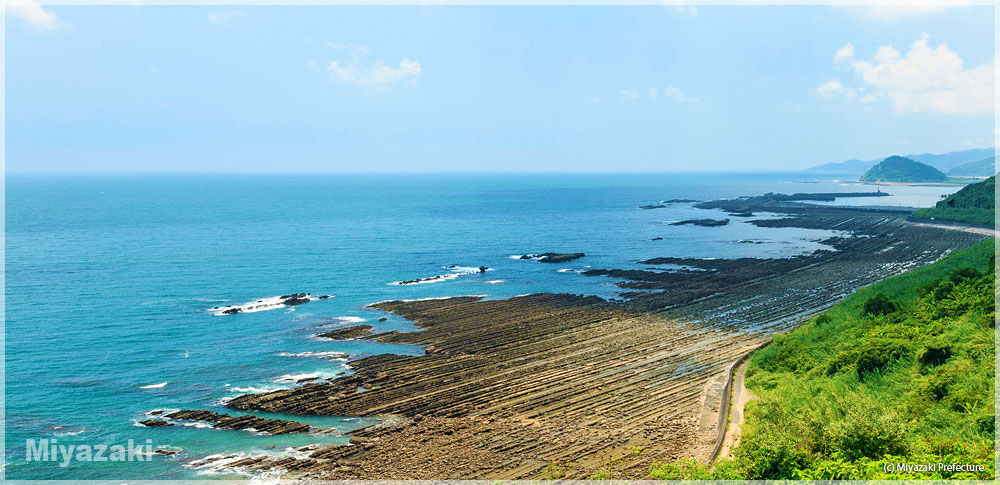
<point>519,387</point>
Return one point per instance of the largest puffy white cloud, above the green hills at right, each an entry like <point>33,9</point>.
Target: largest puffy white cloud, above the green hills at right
<point>924,80</point>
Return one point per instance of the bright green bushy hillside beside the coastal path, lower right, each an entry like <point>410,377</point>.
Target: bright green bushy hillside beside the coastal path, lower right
<point>900,372</point>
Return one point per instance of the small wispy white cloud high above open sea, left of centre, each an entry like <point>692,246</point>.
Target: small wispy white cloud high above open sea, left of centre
<point>375,74</point>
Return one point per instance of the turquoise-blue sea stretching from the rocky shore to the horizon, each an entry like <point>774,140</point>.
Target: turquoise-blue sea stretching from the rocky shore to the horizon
<point>109,278</point>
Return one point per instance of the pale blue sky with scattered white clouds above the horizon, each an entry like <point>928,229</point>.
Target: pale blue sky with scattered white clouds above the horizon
<point>476,88</point>
